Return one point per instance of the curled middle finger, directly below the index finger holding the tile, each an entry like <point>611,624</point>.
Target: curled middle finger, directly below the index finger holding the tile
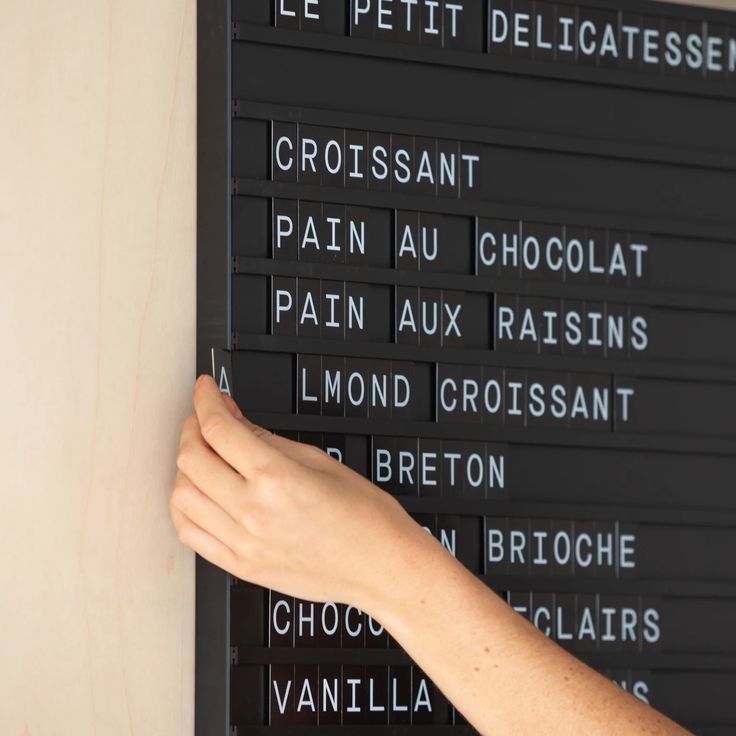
<point>209,472</point>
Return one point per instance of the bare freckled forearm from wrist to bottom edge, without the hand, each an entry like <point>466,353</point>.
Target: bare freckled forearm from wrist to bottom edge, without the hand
<point>495,667</point>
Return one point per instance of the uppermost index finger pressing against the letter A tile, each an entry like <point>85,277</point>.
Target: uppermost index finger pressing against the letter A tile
<point>230,438</point>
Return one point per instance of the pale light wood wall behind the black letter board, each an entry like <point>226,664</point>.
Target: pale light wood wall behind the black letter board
<point>97,324</point>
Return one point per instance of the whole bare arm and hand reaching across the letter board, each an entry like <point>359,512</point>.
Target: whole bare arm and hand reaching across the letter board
<point>252,503</point>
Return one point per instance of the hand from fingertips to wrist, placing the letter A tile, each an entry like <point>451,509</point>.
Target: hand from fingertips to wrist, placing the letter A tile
<point>285,515</point>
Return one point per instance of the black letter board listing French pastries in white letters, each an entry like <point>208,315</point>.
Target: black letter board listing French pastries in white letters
<point>483,252</point>
